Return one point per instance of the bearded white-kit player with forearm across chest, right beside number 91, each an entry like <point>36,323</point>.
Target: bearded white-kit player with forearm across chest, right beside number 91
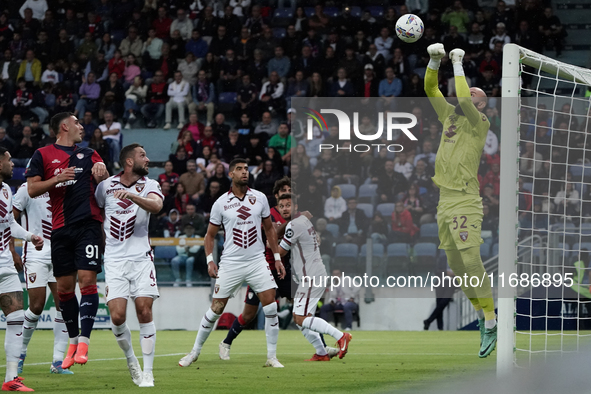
<point>128,199</point>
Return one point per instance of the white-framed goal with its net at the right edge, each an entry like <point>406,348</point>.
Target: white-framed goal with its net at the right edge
<point>544,268</point>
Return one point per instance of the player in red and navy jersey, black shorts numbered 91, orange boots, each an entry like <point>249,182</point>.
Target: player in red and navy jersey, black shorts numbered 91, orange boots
<point>70,175</point>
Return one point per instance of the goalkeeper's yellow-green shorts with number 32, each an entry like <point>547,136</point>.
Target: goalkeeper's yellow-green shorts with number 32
<point>459,217</point>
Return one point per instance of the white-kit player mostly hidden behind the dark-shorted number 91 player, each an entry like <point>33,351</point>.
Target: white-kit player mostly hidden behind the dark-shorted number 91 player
<point>36,216</point>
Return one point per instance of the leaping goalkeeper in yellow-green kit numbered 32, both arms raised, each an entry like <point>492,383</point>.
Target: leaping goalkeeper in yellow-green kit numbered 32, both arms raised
<point>459,213</point>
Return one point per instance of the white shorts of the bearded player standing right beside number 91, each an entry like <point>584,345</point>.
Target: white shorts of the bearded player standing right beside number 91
<point>125,279</point>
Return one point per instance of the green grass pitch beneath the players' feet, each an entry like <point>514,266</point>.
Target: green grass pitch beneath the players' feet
<point>378,361</point>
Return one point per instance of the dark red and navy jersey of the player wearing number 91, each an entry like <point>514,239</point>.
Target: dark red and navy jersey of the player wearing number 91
<point>71,201</point>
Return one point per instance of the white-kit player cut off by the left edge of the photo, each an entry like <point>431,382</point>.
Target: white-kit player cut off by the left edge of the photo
<point>11,291</point>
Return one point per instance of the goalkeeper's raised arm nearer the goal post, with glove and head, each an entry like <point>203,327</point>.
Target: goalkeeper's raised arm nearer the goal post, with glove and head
<point>466,96</point>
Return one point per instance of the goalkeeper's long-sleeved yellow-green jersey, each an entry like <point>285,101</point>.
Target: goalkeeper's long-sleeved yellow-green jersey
<point>462,139</point>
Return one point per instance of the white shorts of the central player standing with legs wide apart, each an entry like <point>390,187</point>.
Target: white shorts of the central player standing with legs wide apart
<point>256,274</point>
